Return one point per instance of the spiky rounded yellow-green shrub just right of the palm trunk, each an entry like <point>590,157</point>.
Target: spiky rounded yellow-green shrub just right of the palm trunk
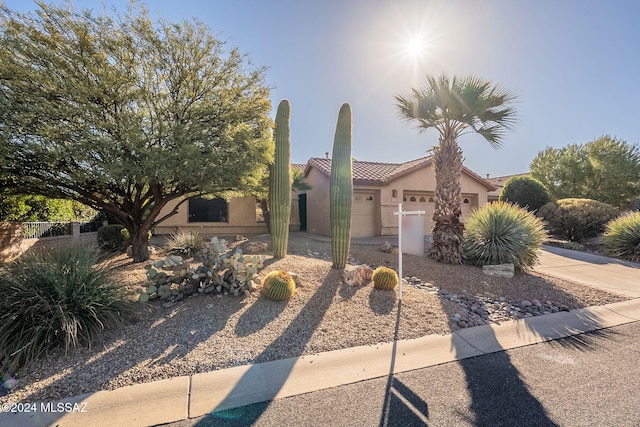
<point>501,233</point>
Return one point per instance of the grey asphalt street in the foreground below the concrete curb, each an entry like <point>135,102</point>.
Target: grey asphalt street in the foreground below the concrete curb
<point>587,380</point>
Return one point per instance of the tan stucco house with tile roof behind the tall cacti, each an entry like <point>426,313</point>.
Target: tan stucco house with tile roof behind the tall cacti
<point>377,190</point>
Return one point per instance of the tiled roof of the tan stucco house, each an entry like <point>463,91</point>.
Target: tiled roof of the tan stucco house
<point>376,173</point>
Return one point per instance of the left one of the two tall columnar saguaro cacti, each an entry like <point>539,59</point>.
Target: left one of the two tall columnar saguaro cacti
<point>280,183</point>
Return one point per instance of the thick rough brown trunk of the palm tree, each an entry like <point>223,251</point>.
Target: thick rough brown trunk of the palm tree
<point>448,231</point>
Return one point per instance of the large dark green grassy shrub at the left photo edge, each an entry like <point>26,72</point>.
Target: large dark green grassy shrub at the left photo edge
<point>56,298</point>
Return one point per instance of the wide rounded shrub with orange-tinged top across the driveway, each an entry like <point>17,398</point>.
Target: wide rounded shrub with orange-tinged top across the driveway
<point>576,219</point>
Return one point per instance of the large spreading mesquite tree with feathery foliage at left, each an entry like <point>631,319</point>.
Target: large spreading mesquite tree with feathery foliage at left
<point>125,114</point>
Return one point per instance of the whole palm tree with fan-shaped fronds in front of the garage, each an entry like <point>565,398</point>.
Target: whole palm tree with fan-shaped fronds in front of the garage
<point>454,107</point>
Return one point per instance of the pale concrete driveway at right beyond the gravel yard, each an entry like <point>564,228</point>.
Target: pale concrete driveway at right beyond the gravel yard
<point>608,274</point>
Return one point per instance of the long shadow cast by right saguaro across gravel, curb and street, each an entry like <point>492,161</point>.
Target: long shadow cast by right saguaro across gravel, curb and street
<point>302,328</point>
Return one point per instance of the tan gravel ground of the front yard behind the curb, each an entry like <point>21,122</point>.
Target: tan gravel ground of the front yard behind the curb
<point>209,332</point>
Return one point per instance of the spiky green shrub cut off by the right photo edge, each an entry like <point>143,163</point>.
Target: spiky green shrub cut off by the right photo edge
<point>622,237</point>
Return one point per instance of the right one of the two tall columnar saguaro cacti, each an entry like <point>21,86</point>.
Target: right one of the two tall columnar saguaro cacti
<point>341,187</point>
